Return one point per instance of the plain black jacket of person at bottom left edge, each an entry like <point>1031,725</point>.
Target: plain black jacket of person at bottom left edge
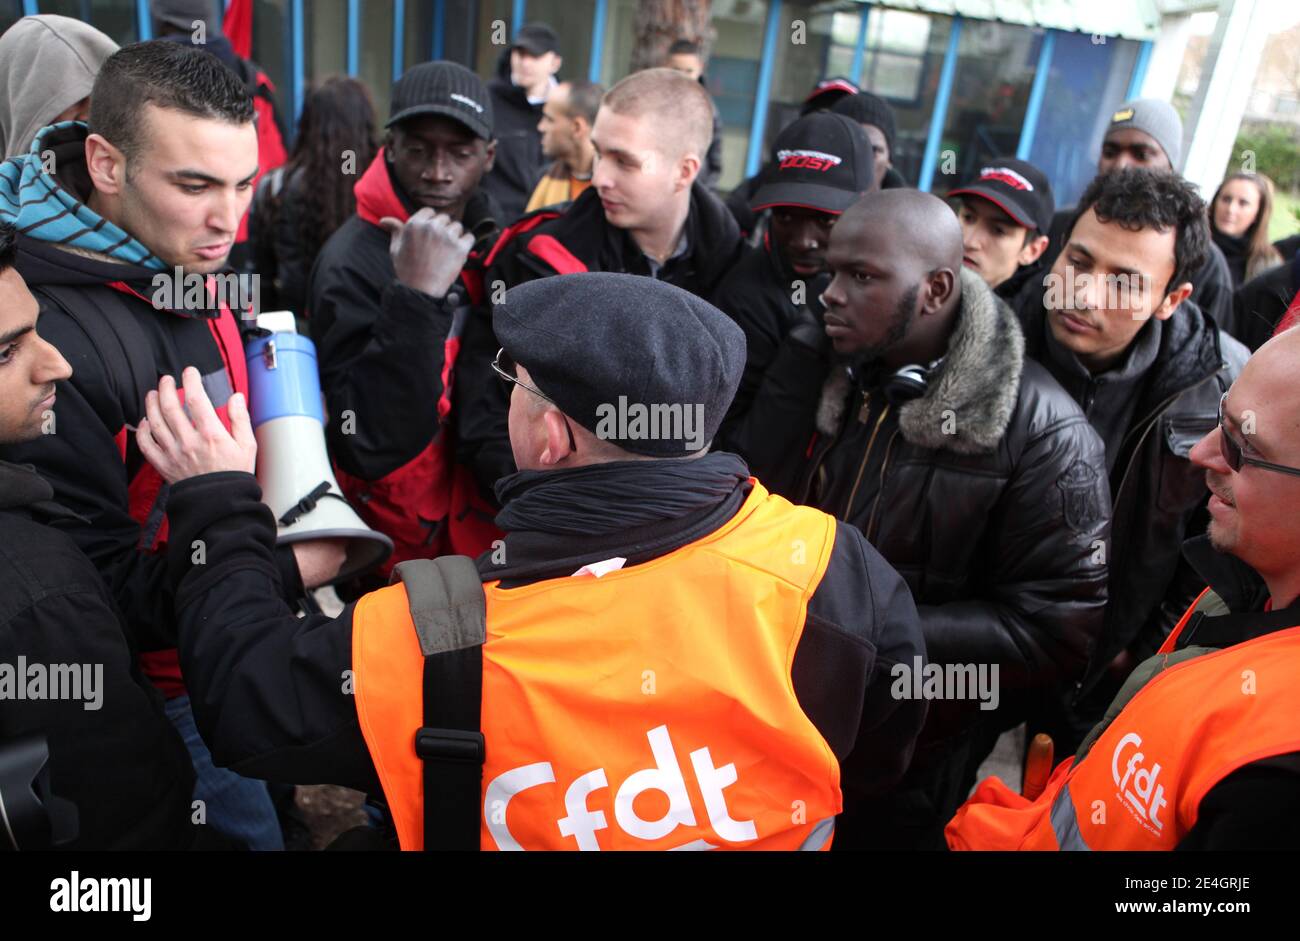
<point>112,753</point>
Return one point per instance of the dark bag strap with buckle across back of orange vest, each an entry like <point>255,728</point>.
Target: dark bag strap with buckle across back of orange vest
<point>450,615</point>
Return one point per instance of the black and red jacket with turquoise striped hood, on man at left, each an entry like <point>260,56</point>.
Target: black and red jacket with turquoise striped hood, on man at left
<point>102,310</point>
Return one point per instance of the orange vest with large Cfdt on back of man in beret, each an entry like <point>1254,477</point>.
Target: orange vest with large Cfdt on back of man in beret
<point>649,709</point>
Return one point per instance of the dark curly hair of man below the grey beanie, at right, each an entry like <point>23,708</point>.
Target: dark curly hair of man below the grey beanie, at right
<point>1139,200</point>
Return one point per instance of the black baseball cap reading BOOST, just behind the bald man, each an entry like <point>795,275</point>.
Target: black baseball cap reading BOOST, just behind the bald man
<point>822,162</point>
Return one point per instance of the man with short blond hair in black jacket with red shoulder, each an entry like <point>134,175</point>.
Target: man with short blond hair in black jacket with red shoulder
<point>645,214</point>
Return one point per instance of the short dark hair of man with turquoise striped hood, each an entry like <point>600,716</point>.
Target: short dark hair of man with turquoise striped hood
<point>170,76</point>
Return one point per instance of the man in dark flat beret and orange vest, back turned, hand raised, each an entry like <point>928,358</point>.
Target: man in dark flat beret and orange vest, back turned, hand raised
<point>655,621</point>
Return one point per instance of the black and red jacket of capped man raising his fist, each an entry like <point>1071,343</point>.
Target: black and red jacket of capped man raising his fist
<point>388,358</point>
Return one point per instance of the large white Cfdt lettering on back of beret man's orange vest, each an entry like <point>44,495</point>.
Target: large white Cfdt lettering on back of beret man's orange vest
<point>582,823</point>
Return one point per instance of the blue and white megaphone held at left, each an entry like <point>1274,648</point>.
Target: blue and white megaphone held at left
<point>293,469</point>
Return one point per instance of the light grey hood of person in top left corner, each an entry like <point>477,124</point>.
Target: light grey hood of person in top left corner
<point>47,66</point>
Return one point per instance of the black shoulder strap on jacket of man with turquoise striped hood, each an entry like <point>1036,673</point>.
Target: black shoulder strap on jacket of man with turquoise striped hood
<point>114,331</point>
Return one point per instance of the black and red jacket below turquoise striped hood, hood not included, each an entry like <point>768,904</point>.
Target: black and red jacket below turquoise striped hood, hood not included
<point>102,318</point>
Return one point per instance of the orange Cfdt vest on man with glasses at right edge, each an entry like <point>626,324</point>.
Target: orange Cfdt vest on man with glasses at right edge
<point>1142,783</point>
